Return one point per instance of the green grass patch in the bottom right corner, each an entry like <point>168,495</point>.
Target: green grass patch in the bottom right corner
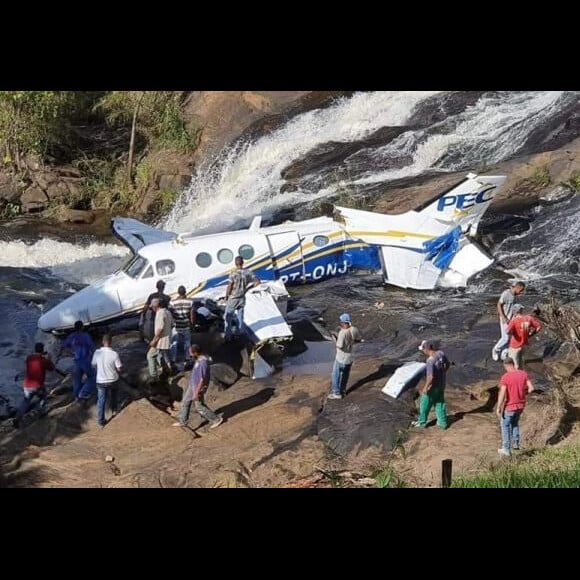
<point>549,467</point>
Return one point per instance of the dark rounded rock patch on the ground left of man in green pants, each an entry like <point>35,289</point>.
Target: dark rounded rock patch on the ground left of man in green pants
<point>365,418</point>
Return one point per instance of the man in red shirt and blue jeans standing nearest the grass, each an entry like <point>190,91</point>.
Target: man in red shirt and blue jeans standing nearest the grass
<point>514,386</point>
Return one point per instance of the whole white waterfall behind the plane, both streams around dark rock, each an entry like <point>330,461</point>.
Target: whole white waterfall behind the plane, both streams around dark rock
<point>247,180</point>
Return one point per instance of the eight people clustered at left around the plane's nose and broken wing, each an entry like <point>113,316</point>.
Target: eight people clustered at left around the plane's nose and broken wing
<point>169,324</point>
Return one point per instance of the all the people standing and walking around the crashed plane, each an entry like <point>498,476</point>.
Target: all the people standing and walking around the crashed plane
<point>171,323</point>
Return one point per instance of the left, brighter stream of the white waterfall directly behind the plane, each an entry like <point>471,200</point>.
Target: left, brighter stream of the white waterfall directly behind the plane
<point>247,179</point>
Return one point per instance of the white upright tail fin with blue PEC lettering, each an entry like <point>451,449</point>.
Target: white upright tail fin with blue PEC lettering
<point>465,203</point>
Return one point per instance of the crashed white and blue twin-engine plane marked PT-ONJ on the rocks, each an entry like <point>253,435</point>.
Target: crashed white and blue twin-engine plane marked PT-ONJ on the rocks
<point>427,247</point>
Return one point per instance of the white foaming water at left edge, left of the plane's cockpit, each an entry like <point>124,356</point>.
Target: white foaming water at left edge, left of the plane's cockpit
<point>71,262</point>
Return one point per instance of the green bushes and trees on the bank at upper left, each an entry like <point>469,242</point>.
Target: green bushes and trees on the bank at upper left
<point>107,136</point>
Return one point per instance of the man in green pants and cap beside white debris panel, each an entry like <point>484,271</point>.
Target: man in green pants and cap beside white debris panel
<point>433,392</point>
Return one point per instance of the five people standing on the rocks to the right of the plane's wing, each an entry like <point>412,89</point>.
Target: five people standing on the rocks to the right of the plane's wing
<point>514,385</point>
